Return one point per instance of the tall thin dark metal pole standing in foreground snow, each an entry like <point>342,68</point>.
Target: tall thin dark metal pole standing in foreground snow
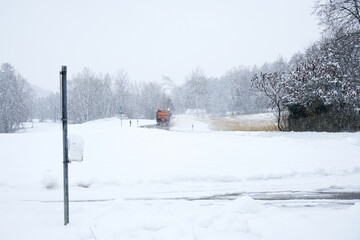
<point>65,143</point>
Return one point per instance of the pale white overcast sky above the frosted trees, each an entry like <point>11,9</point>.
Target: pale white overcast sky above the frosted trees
<point>150,38</point>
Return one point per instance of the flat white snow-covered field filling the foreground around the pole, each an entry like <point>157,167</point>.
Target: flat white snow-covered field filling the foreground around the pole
<point>187,183</point>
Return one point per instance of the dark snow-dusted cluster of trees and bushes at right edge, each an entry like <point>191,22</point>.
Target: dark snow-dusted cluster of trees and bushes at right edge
<point>320,90</point>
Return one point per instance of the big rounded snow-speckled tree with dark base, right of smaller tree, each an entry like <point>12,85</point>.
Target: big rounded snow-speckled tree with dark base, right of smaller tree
<point>323,88</point>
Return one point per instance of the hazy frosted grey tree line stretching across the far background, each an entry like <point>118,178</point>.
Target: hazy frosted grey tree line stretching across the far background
<point>94,96</point>
